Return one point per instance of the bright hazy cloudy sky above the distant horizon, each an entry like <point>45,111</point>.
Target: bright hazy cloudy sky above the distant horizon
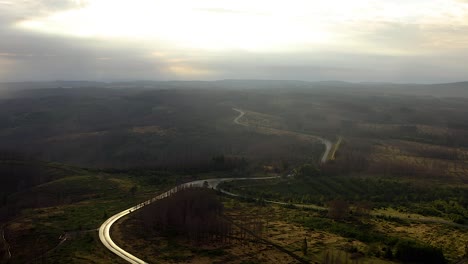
<point>420,41</point>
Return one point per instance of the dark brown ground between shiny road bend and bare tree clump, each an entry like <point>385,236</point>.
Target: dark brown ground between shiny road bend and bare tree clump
<point>159,249</point>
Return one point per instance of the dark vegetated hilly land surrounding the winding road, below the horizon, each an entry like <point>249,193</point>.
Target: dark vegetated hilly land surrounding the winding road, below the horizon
<point>394,188</point>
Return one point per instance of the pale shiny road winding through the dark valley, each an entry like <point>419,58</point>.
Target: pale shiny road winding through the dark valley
<point>104,230</point>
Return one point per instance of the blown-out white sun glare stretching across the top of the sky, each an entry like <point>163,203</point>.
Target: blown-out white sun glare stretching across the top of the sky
<point>260,26</point>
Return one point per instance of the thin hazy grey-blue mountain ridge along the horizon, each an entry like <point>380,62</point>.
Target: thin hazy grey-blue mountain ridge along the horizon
<point>455,89</point>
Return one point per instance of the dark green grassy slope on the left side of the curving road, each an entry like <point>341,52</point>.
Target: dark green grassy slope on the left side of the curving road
<point>73,207</point>
